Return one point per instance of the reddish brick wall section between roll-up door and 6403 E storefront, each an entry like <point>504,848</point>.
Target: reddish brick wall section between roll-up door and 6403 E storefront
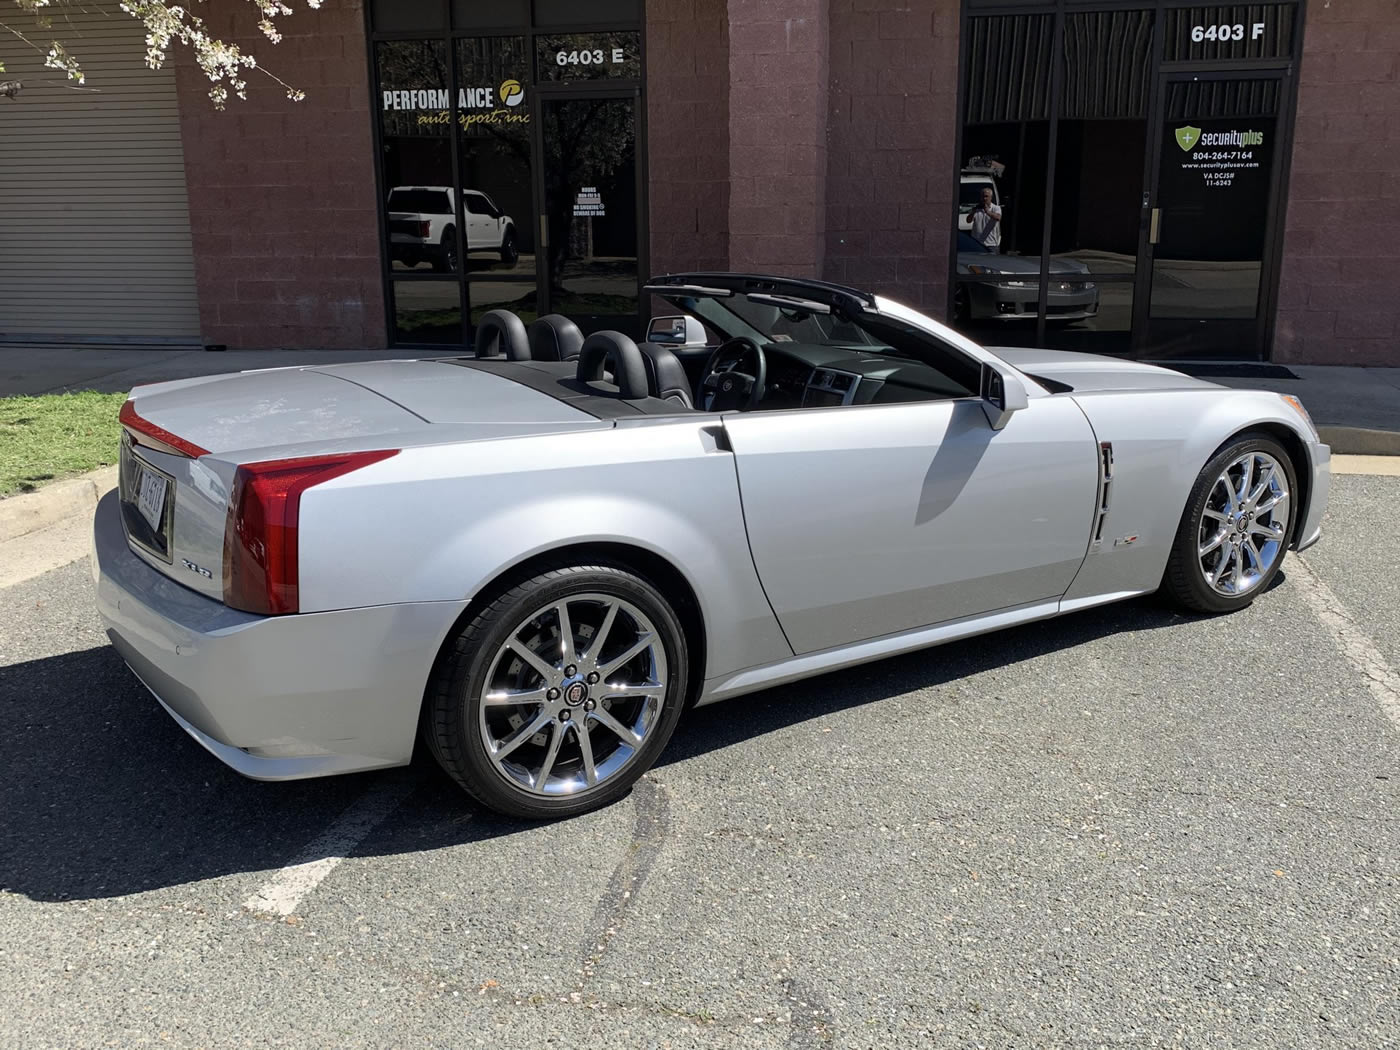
<point>282,195</point>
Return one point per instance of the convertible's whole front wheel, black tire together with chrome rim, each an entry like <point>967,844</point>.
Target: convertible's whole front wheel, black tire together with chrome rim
<point>1230,547</point>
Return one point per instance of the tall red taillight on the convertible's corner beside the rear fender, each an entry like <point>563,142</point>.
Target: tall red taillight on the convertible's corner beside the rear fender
<point>261,534</point>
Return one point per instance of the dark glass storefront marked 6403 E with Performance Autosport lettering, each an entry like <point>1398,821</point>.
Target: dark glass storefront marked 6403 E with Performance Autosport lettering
<point>500,190</point>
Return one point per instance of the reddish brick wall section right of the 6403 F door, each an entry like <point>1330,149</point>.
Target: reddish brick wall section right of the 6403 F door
<point>1340,286</point>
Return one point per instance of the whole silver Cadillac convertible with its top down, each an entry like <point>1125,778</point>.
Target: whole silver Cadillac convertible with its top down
<point>534,559</point>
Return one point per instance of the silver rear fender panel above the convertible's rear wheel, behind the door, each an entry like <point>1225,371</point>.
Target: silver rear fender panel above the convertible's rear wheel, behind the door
<point>451,519</point>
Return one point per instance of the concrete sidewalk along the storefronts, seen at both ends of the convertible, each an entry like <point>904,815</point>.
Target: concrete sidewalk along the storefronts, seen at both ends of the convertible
<point>1356,409</point>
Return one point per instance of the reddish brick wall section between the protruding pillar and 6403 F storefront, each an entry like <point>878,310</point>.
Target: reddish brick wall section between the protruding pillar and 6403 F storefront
<point>894,120</point>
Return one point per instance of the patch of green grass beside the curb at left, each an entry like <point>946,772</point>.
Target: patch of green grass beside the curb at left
<point>57,436</point>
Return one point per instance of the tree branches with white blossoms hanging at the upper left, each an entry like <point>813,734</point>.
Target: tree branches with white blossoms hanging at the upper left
<point>166,24</point>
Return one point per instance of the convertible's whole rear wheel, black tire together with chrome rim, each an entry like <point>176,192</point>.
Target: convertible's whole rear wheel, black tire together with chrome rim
<point>528,758</point>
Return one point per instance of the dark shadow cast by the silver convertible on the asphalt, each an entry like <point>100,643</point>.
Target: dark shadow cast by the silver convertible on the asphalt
<point>104,796</point>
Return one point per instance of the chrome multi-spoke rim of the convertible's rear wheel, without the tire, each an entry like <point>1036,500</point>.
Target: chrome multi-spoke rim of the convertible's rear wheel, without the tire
<point>570,698</point>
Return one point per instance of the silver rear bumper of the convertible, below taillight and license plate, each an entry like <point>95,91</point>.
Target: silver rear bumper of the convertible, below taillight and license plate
<point>276,698</point>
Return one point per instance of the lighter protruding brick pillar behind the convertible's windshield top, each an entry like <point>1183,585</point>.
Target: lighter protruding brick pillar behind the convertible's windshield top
<point>778,135</point>
